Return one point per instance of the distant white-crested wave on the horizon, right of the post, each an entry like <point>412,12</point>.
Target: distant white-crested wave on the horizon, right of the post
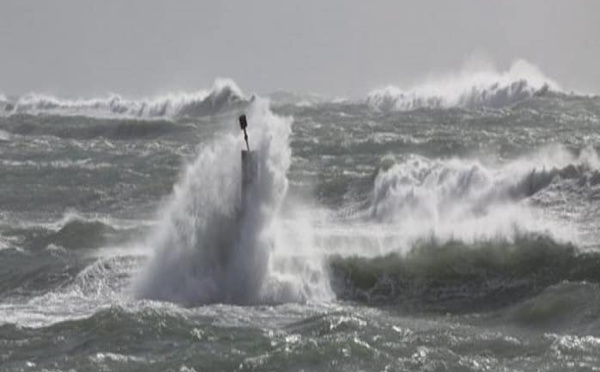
<point>471,88</point>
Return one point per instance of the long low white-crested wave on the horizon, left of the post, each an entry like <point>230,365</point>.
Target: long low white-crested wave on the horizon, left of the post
<point>225,94</point>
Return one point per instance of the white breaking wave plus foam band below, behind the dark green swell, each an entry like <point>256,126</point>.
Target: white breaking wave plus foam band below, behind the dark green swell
<point>419,199</point>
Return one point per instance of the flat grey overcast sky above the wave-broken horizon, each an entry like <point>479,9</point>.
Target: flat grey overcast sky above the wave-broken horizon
<point>336,47</point>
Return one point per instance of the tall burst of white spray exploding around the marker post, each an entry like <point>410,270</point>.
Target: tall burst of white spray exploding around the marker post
<point>208,248</point>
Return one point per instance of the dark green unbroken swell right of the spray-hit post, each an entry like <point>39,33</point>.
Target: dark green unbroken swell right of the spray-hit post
<point>459,277</point>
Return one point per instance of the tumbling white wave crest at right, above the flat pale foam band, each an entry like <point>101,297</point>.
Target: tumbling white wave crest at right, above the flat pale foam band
<point>470,200</point>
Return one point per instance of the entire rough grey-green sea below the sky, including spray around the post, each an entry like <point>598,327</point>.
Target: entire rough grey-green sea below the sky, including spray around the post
<point>448,227</point>
